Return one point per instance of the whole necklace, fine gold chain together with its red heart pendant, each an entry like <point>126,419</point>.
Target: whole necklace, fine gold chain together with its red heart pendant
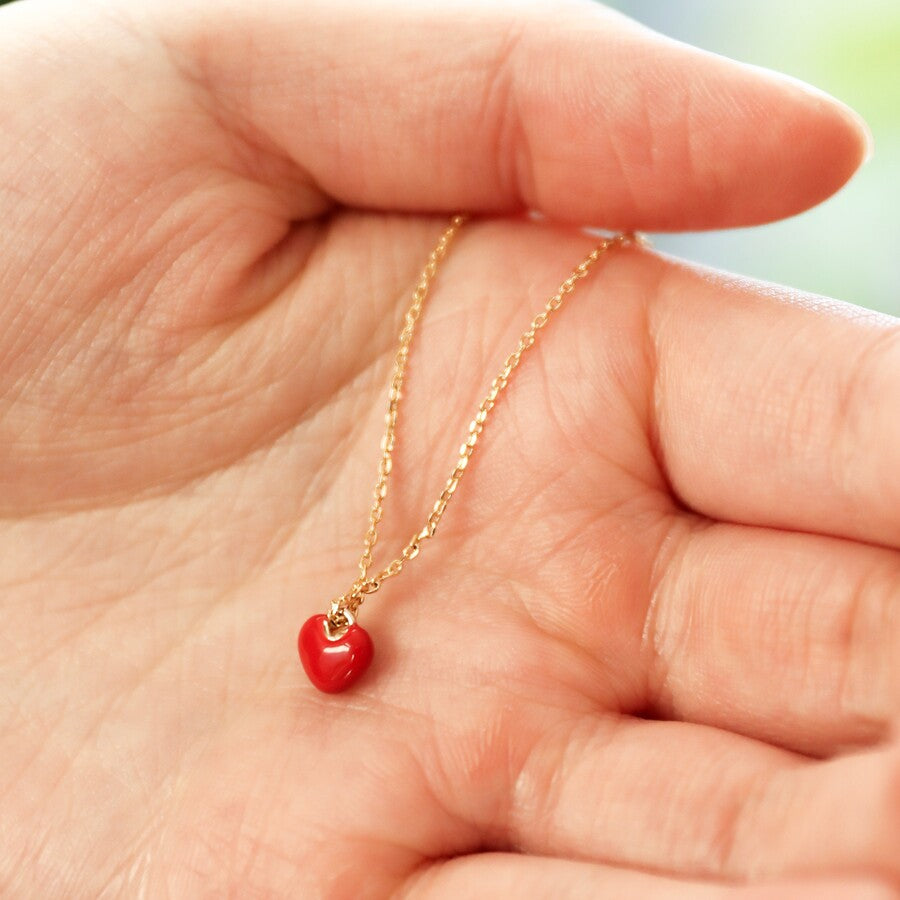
<point>334,650</point>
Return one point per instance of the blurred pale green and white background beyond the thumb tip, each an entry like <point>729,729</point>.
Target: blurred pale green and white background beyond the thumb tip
<point>848,247</point>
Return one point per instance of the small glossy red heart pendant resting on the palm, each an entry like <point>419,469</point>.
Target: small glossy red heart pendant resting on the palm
<point>333,663</point>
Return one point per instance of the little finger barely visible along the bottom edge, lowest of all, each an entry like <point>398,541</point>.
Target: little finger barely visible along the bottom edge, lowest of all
<point>491,875</point>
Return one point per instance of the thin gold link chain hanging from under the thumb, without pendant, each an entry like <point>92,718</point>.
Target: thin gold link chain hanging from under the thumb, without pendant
<point>350,601</point>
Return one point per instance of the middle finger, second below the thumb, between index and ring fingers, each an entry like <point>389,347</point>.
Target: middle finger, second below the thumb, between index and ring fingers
<point>788,637</point>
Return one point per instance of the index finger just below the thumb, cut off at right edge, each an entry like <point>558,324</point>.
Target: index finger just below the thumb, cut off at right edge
<point>771,407</point>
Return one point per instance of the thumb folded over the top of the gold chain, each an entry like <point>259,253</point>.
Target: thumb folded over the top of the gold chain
<point>567,108</point>
